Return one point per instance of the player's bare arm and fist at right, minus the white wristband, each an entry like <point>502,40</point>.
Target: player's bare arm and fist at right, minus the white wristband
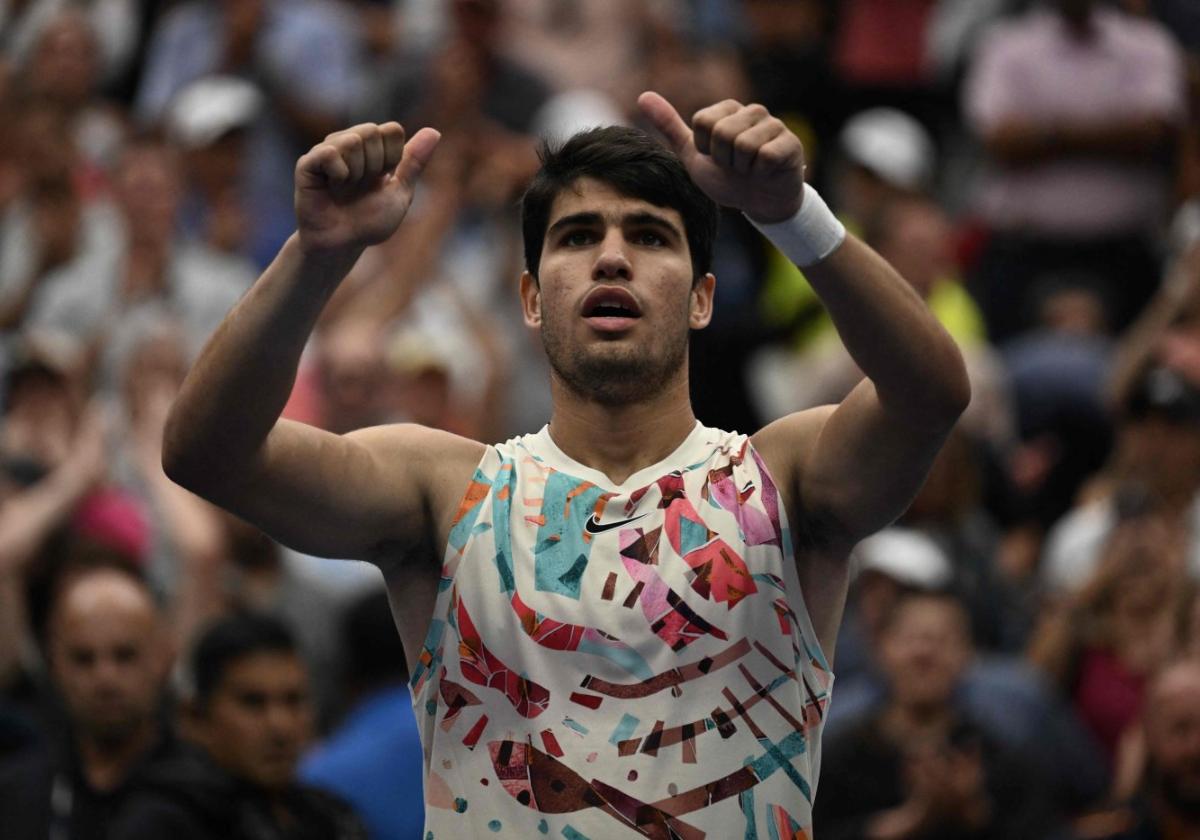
<point>849,471</point>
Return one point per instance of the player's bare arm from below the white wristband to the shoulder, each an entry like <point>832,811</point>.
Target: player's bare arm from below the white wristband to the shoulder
<point>873,452</point>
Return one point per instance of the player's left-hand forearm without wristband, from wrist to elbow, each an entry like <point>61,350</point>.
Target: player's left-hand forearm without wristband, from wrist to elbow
<point>238,388</point>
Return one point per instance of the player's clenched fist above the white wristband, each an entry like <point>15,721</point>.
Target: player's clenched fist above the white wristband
<point>739,154</point>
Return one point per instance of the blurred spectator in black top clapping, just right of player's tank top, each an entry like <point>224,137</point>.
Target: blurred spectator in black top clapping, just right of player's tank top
<point>917,766</point>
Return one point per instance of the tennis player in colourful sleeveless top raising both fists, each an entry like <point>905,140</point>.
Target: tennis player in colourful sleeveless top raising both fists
<point>611,627</point>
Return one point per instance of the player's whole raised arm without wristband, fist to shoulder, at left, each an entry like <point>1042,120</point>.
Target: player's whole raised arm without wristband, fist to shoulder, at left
<point>339,496</point>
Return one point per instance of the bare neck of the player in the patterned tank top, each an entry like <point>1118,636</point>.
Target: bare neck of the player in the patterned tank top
<point>619,441</point>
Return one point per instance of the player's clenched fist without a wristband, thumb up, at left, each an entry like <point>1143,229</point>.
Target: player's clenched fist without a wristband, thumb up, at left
<point>353,189</point>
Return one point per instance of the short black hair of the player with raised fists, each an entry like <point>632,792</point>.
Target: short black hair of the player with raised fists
<point>635,165</point>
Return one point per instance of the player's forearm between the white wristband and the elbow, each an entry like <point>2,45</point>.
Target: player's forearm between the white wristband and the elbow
<point>889,331</point>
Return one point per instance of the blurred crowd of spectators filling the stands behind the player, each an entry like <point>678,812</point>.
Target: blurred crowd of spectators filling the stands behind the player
<point>1021,657</point>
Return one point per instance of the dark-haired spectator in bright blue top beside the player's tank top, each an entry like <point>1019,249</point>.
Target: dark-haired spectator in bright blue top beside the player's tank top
<point>374,759</point>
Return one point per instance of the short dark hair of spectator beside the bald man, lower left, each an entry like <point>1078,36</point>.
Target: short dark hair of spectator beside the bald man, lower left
<point>230,640</point>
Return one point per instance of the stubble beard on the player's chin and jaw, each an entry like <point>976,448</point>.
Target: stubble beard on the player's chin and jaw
<point>614,375</point>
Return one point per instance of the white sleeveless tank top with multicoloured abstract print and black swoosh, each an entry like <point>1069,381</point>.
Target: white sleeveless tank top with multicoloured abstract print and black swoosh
<point>621,661</point>
